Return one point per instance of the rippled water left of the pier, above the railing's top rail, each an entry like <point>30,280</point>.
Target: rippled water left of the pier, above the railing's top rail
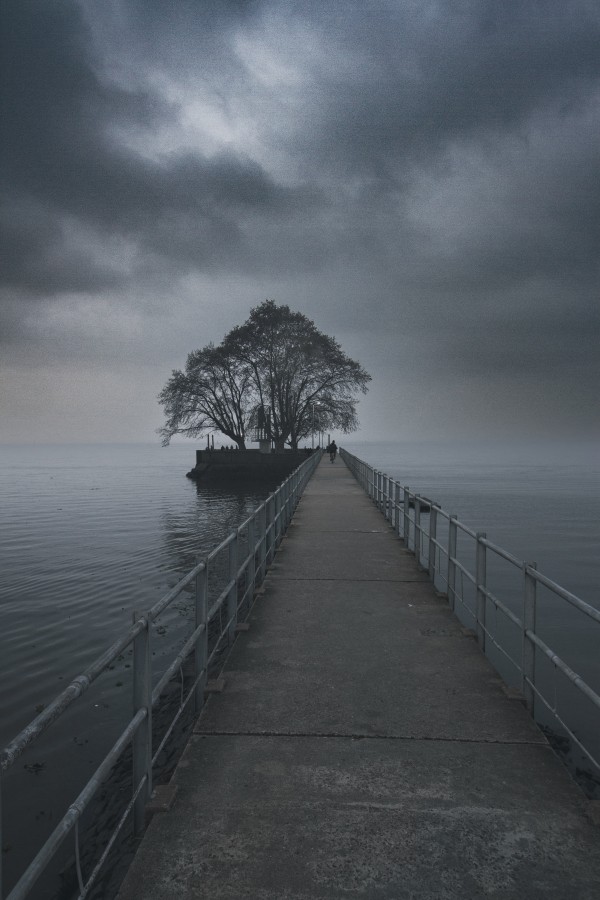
<point>87,536</point>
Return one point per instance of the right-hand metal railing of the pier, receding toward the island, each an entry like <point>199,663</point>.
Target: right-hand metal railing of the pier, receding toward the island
<point>508,629</point>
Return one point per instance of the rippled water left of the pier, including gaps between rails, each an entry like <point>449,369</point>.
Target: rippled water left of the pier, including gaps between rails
<point>87,536</point>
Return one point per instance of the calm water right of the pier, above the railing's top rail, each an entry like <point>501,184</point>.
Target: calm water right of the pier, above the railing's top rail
<point>540,502</point>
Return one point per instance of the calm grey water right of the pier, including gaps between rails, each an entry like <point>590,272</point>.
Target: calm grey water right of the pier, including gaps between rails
<point>540,503</point>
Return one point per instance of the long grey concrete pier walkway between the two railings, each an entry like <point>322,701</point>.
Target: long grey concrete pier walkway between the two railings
<point>363,747</point>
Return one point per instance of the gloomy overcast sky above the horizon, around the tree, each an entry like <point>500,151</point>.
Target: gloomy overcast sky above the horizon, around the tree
<point>422,179</point>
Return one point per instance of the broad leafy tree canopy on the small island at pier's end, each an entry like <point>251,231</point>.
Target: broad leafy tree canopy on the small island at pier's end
<point>276,368</point>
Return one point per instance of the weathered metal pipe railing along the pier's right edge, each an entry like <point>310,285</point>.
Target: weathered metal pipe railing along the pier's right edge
<point>396,501</point>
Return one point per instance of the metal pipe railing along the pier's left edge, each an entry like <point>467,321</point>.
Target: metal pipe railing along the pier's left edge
<point>216,616</point>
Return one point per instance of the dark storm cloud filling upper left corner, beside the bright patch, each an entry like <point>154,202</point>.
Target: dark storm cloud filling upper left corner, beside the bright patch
<point>61,163</point>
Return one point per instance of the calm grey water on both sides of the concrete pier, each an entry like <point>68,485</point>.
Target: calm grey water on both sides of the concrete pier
<point>90,533</point>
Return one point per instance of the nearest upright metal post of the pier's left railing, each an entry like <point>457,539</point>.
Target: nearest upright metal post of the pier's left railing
<point>142,739</point>
